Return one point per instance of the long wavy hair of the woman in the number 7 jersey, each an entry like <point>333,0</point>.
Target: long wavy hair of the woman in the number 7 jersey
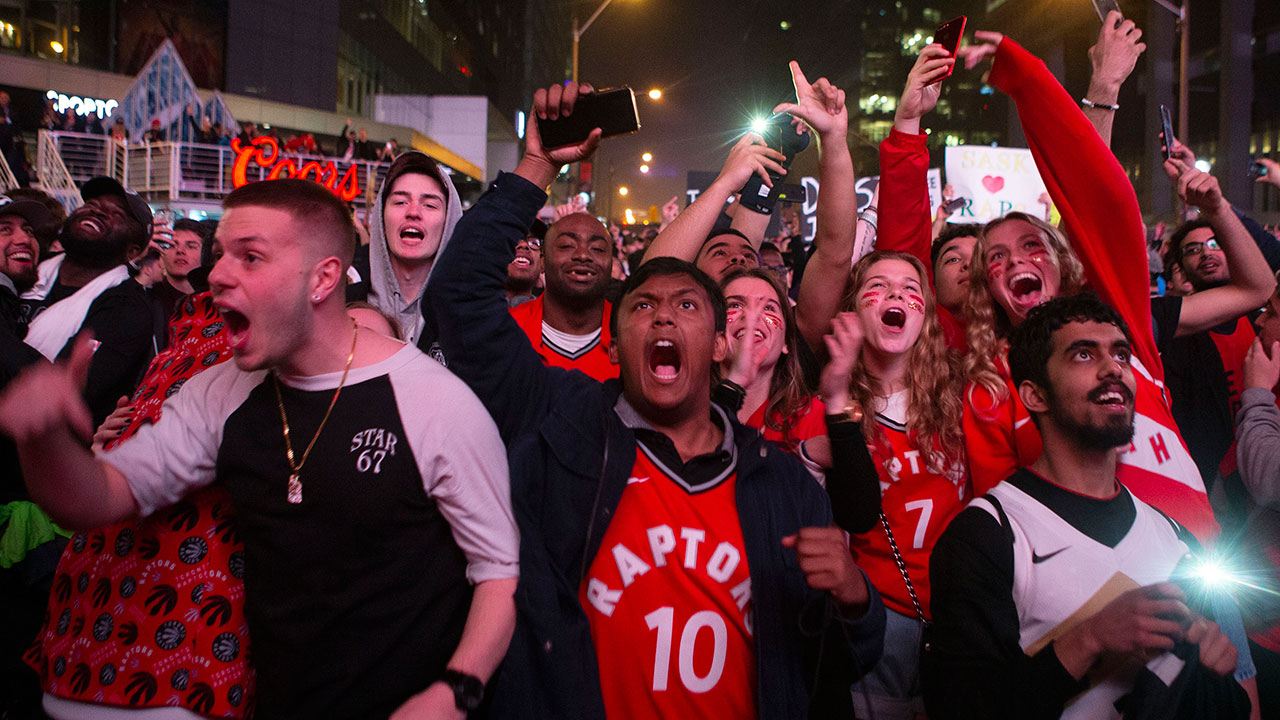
<point>934,409</point>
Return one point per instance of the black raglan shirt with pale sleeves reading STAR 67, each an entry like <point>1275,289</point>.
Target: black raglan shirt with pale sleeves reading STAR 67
<point>358,596</point>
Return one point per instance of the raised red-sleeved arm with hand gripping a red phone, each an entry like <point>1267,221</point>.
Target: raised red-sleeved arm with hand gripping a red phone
<point>904,206</point>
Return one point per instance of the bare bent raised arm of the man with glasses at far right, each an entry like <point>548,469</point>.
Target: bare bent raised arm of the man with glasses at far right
<point>1251,284</point>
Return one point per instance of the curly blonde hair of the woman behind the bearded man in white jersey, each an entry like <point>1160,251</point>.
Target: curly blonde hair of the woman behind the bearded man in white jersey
<point>989,326</point>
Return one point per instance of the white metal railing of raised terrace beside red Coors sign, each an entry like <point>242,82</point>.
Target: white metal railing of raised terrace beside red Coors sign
<point>171,172</point>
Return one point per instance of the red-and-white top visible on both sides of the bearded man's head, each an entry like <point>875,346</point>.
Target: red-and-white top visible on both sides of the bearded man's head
<point>1156,467</point>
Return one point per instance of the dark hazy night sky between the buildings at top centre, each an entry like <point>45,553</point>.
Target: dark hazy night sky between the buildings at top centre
<point>719,63</point>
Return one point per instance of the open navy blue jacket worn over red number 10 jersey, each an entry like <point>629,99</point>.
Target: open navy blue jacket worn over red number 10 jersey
<point>570,459</point>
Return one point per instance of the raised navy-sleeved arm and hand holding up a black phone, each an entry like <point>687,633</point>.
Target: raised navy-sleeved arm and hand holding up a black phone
<point>483,344</point>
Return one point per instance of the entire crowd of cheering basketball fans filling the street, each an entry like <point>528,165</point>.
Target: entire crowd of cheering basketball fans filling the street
<point>483,464</point>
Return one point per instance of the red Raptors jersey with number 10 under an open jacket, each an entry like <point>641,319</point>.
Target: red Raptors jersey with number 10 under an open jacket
<point>669,598</point>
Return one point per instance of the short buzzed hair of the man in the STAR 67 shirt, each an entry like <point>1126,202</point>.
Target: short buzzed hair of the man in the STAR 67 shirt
<point>308,203</point>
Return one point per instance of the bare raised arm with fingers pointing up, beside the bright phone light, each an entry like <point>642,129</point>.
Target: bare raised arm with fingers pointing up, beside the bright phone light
<point>822,108</point>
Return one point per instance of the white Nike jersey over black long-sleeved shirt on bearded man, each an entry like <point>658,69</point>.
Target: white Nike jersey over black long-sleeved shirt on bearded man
<point>1004,587</point>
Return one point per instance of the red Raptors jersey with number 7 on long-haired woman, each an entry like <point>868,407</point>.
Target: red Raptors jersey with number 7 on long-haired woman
<point>918,505</point>
